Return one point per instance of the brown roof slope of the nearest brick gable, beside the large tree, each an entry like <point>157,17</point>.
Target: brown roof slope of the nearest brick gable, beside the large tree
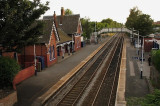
<point>46,31</point>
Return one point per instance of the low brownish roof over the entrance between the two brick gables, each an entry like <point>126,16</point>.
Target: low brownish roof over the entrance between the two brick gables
<point>63,36</point>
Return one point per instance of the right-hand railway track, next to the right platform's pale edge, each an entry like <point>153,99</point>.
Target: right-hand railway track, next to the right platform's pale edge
<point>107,89</point>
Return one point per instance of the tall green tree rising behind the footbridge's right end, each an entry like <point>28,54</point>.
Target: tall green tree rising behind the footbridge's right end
<point>139,21</point>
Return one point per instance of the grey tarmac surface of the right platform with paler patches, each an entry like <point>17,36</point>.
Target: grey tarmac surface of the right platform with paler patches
<point>135,86</point>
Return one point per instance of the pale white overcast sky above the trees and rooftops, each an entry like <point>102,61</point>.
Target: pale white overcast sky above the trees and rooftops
<point>97,10</point>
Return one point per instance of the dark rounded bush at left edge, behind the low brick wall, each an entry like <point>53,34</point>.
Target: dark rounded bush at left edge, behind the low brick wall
<point>8,69</point>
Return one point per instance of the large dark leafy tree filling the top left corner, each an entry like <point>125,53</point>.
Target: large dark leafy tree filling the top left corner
<point>17,23</point>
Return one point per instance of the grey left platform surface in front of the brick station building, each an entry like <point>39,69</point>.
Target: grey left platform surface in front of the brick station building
<point>29,90</point>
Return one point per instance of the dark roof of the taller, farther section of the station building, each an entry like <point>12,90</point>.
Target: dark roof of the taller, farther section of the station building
<point>69,22</point>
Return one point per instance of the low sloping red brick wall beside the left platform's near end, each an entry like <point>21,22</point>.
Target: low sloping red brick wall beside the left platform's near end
<point>22,75</point>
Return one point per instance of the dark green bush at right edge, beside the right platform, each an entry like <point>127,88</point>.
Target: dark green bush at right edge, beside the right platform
<point>155,55</point>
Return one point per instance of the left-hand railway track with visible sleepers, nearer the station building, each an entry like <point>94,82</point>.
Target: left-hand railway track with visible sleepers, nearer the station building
<point>75,93</point>
